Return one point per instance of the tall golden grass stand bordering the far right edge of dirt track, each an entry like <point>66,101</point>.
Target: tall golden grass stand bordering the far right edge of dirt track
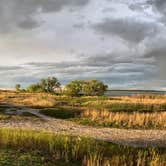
<point>129,120</point>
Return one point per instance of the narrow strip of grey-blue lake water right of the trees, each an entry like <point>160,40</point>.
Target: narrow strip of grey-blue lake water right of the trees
<point>131,93</point>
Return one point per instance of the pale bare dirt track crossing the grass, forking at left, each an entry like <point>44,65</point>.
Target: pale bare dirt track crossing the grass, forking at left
<point>139,138</point>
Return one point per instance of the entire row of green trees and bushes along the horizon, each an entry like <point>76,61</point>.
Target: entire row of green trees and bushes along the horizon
<point>73,88</point>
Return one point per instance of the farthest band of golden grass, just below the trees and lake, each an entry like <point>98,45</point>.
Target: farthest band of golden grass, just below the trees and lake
<point>44,99</point>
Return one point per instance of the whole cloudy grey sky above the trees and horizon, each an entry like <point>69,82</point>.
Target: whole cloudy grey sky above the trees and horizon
<point>120,42</point>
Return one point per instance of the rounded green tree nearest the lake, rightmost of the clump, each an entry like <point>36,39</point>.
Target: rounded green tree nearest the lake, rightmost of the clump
<point>94,88</point>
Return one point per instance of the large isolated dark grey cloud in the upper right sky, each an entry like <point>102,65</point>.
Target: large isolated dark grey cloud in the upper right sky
<point>128,29</point>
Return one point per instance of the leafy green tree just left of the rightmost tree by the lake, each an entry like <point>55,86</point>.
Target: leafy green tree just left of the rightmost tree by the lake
<point>74,88</point>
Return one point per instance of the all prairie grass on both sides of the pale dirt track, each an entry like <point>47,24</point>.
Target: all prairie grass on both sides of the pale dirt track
<point>37,147</point>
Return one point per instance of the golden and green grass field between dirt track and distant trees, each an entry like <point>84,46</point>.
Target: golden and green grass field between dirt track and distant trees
<point>139,111</point>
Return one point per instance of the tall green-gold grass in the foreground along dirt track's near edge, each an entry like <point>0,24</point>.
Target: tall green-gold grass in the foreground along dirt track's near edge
<point>84,151</point>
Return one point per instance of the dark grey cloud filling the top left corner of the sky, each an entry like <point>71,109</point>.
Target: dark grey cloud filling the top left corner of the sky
<point>21,13</point>
